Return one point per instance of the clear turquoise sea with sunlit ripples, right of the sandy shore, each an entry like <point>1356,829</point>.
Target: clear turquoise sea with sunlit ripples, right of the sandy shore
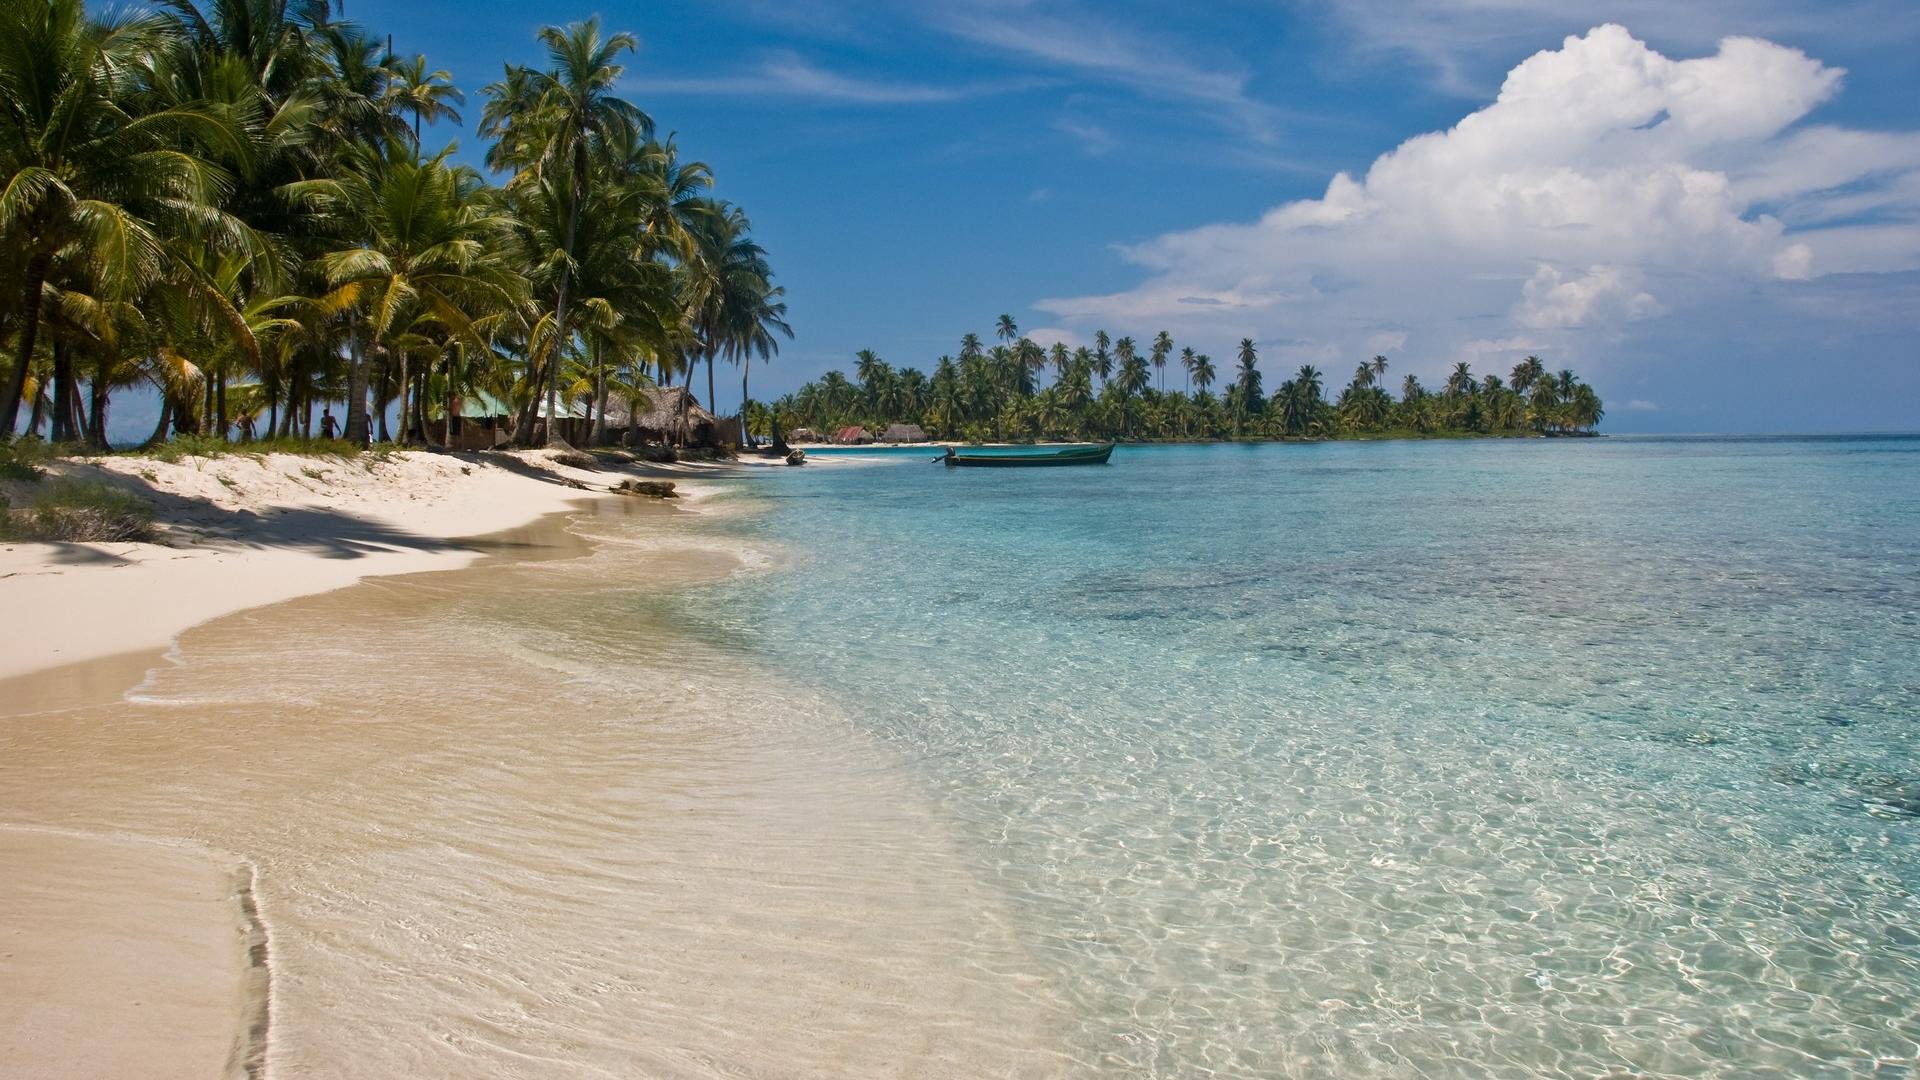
<point>1412,758</point>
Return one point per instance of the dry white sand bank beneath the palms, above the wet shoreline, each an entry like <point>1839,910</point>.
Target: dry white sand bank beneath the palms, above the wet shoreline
<point>249,531</point>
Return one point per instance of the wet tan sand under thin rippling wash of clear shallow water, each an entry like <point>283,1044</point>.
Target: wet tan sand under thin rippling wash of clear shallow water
<point>517,822</point>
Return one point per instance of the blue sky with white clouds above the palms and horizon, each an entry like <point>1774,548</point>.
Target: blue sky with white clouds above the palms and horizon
<point>1721,237</point>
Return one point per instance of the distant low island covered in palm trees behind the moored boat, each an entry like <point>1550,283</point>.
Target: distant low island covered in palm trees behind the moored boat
<point>1020,391</point>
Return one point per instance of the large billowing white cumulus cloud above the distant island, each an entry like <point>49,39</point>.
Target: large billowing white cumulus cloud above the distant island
<point>1604,185</point>
